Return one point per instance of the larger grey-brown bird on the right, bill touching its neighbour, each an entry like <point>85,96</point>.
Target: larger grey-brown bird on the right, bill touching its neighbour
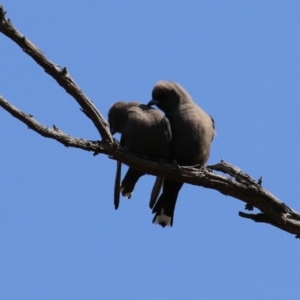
<point>192,133</point>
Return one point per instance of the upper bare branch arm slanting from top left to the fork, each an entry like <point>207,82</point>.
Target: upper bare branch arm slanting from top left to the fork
<point>60,74</point>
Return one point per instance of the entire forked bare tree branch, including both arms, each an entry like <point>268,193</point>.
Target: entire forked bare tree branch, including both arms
<point>236,183</point>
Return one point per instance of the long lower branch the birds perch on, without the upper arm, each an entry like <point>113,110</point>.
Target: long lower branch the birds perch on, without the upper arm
<point>239,185</point>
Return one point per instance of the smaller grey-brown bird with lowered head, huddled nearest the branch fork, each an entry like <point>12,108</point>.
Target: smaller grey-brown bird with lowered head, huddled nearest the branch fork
<point>145,132</point>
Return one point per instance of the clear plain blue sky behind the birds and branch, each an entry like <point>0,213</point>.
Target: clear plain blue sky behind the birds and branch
<point>60,235</point>
